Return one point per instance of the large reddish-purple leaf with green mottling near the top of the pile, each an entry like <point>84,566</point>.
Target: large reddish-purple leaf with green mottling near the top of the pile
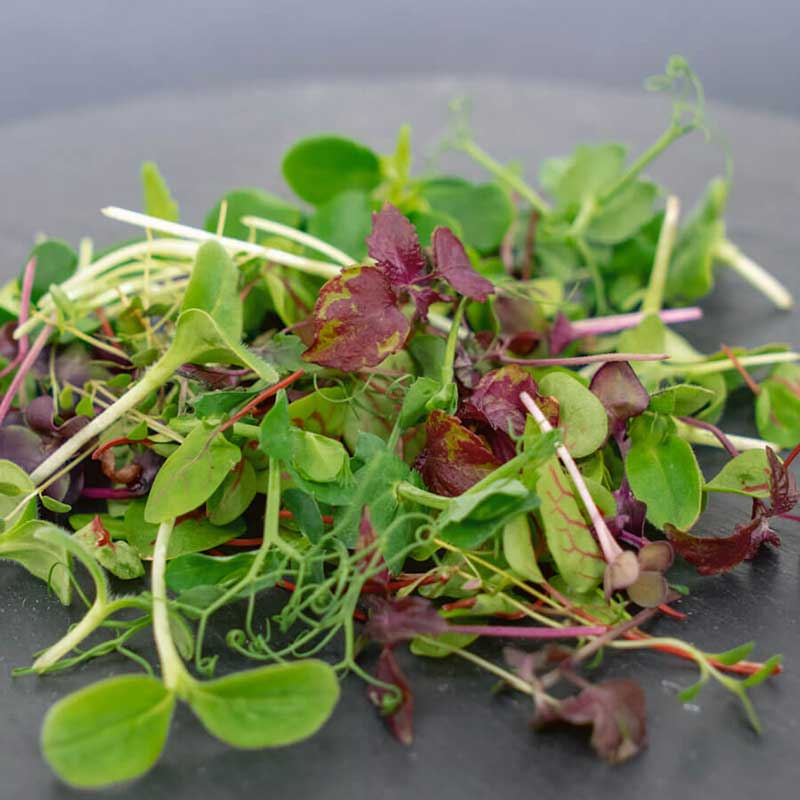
<point>357,321</point>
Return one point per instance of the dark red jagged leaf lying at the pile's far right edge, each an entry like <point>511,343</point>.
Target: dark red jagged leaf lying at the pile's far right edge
<point>714,555</point>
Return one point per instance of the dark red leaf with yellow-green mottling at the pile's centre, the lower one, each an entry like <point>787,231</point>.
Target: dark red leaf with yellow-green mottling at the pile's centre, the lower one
<point>454,458</point>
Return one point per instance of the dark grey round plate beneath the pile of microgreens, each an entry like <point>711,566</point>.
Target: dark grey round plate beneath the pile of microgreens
<point>56,172</point>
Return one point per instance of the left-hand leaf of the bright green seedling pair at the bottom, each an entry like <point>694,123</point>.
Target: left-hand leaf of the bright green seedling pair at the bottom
<point>109,732</point>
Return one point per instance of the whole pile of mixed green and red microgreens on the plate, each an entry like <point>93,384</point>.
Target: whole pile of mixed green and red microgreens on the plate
<point>426,411</point>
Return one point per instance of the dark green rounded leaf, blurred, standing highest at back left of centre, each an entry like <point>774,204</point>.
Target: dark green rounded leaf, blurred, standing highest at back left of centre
<point>321,167</point>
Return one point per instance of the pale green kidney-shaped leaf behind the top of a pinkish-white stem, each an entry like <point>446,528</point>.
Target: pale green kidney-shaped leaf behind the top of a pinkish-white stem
<point>580,413</point>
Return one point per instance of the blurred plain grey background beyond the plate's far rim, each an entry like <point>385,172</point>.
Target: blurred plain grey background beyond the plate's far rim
<point>65,54</point>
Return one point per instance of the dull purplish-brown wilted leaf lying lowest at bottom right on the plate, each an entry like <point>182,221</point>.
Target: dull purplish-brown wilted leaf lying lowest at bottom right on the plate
<point>616,711</point>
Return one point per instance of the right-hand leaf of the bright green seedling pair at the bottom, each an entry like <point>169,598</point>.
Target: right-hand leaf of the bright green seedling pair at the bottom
<point>267,707</point>
